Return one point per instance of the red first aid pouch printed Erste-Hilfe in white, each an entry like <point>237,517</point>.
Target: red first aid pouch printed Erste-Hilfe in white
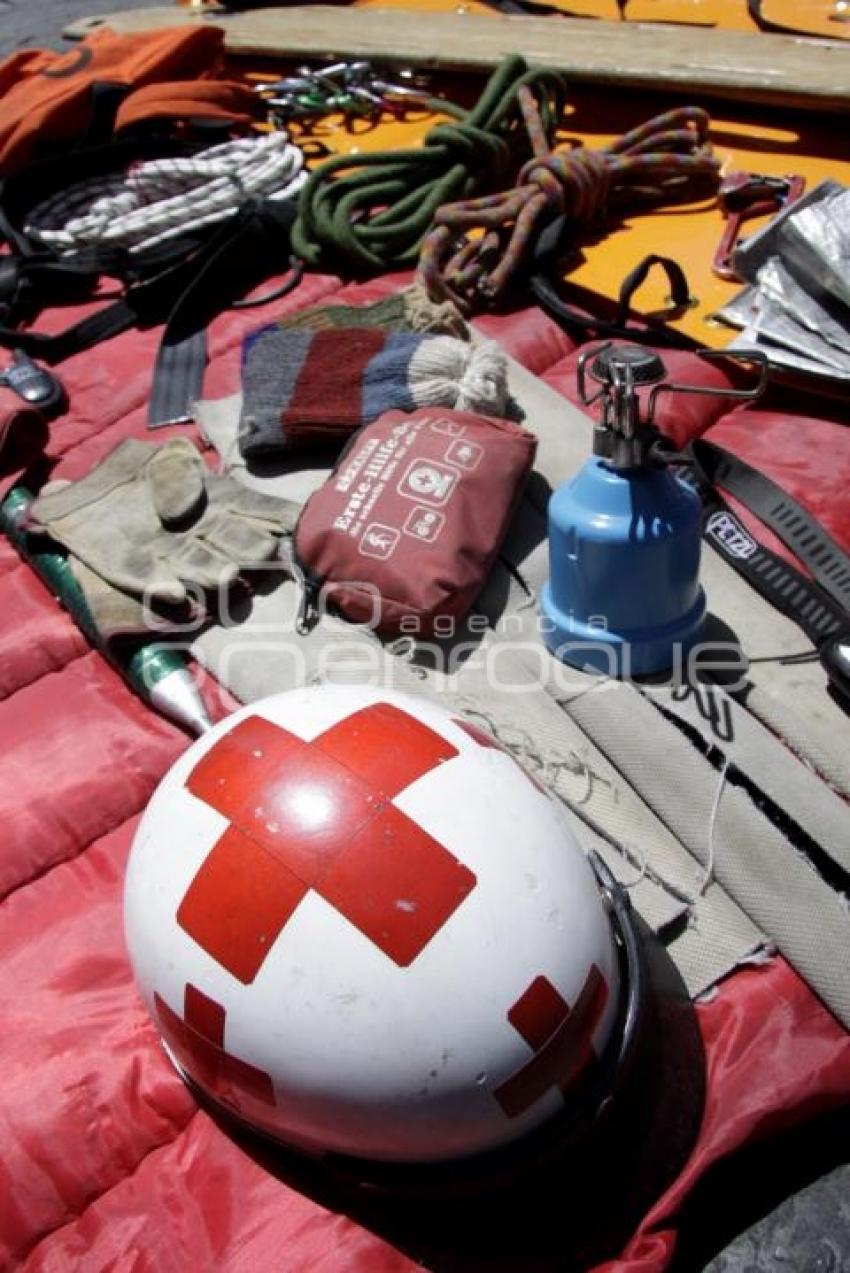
<point>407,528</point>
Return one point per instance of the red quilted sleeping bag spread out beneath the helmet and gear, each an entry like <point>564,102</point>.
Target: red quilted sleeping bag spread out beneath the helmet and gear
<point>106,1162</point>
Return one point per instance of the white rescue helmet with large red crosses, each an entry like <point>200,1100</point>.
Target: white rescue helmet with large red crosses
<point>366,931</point>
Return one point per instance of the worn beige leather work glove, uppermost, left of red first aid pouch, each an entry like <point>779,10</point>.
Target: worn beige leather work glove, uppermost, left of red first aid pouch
<point>153,524</point>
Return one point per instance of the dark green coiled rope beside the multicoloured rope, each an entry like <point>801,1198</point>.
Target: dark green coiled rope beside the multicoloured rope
<point>368,215</point>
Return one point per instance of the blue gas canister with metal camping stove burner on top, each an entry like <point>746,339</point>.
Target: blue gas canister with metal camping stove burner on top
<point>624,595</point>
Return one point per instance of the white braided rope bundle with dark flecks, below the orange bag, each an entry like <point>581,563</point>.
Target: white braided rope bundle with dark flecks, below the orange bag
<point>165,198</point>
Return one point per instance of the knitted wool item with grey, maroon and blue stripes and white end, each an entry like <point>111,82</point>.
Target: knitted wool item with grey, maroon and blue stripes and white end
<point>302,385</point>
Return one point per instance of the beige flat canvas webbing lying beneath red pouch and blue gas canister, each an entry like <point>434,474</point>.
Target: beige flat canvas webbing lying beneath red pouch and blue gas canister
<point>720,809</point>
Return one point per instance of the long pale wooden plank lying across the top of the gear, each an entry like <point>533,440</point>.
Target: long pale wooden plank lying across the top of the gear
<point>779,71</point>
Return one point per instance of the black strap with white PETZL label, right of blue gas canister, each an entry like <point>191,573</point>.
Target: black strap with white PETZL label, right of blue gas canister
<point>792,593</point>
